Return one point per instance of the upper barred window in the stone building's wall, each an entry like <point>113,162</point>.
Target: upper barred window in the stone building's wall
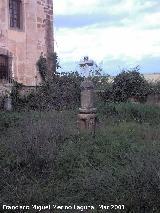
<point>15,13</point>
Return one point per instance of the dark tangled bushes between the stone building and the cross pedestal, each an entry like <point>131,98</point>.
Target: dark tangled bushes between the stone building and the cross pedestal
<point>58,92</point>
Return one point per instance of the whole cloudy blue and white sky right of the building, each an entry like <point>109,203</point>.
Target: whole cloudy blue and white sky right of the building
<point>116,34</point>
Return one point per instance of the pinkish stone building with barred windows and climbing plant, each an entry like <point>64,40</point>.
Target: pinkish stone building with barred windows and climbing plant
<point>26,30</point>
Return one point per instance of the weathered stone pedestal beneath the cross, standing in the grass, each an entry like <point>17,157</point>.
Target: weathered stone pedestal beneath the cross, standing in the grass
<point>87,112</point>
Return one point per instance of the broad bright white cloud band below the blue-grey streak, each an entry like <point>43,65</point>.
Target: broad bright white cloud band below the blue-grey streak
<point>115,42</point>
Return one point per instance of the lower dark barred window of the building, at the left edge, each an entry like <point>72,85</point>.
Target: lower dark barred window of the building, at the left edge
<point>4,72</point>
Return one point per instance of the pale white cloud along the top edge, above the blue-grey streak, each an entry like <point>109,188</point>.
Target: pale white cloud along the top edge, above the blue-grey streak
<point>71,7</point>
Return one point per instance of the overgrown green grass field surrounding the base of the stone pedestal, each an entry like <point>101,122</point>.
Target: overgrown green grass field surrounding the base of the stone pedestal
<point>45,160</point>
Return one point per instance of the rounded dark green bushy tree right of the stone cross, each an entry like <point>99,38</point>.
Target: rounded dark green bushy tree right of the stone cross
<point>128,84</point>
